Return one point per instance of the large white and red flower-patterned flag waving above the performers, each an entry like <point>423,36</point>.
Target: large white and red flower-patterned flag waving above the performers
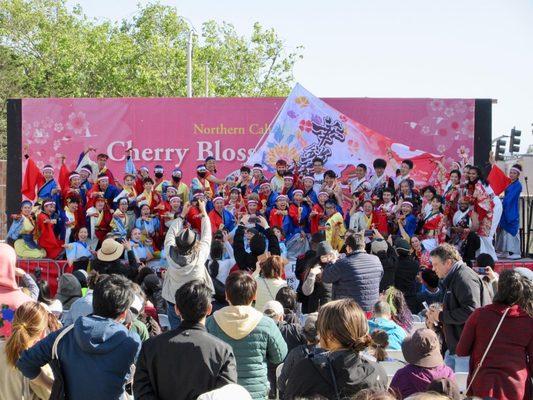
<point>307,127</point>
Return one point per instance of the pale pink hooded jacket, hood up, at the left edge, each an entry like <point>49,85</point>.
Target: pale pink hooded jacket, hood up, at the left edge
<point>11,297</point>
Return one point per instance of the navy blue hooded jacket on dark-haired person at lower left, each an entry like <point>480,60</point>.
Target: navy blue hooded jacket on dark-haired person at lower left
<point>95,357</point>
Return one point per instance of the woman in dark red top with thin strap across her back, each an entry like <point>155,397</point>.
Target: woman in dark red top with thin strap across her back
<point>507,369</point>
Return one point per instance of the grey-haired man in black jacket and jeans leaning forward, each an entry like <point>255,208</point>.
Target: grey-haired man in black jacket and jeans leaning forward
<point>464,292</point>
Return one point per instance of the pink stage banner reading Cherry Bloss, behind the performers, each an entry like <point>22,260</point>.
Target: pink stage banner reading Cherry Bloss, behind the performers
<point>183,132</point>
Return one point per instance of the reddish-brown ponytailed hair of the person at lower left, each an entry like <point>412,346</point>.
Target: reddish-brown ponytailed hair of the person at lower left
<point>29,322</point>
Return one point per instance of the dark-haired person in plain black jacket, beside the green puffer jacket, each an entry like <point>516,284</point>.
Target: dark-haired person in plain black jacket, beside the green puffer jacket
<point>187,361</point>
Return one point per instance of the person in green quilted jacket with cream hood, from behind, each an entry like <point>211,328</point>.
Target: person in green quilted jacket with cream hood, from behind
<point>255,338</point>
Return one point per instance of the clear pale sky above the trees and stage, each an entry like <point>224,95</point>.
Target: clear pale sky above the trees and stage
<point>390,48</point>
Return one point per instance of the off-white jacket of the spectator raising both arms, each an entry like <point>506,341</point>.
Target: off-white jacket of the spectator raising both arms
<point>185,268</point>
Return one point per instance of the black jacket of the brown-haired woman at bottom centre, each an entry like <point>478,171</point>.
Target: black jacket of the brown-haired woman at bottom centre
<point>313,376</point>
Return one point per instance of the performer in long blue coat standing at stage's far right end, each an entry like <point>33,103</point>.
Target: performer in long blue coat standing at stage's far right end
<point>508,242</point>
